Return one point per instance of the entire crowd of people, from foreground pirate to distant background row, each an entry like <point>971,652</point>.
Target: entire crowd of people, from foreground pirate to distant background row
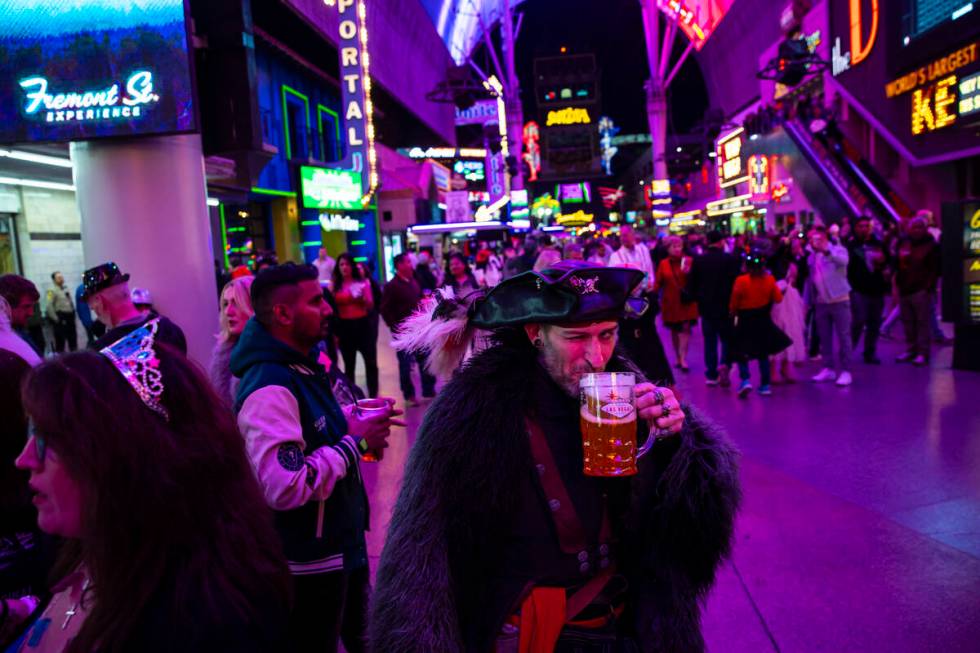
<point>159,507</point>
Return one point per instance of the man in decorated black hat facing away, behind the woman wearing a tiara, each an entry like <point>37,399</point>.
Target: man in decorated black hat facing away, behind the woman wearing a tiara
<point>106,291</point>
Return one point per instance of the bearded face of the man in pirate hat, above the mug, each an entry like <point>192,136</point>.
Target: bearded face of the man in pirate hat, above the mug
<point>569,352</point>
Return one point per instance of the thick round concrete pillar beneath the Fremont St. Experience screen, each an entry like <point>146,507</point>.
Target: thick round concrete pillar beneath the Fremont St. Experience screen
<point>143,204</point>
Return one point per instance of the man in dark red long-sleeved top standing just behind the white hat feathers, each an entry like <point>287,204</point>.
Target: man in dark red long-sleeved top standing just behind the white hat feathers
<point>400,299</point>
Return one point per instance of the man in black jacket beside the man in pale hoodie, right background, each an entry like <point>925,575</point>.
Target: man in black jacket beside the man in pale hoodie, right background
<point>867,270</point>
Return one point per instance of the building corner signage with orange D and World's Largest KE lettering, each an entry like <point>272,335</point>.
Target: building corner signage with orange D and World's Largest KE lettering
<point>915,78</point>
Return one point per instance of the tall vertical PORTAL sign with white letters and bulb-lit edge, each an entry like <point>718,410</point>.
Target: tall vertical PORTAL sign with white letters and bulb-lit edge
<point>355,78</point>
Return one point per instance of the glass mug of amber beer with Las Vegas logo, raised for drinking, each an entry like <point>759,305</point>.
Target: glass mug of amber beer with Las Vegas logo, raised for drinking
<point>607,415</point>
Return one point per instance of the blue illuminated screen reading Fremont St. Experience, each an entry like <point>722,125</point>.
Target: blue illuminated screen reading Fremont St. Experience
<point>92,69</point>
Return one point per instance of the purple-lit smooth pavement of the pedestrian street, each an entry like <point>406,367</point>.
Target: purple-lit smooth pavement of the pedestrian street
<point>860,529</point>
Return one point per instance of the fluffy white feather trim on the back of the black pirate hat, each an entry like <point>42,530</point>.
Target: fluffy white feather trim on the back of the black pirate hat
<point>440,329</point>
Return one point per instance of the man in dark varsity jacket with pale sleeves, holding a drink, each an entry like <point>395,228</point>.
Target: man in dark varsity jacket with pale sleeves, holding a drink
<point>305,450</point>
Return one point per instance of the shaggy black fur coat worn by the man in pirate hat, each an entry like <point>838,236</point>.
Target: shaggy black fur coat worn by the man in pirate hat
<point>460,483</point>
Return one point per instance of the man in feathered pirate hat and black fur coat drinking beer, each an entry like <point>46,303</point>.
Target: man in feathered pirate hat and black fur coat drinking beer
<point>499,541</point>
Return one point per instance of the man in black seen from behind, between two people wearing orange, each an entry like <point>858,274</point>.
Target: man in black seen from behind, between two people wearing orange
<point>710,282</point>
